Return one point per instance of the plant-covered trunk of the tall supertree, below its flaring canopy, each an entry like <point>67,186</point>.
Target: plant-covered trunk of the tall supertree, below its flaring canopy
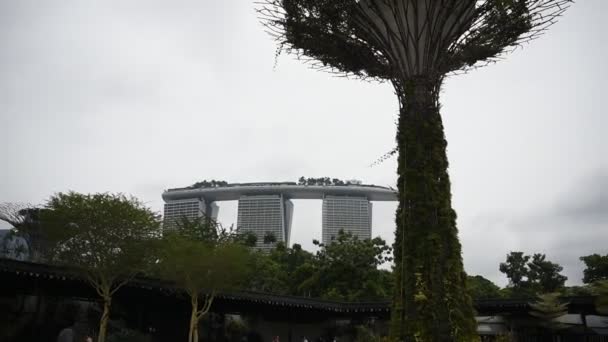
<point>431,302</point>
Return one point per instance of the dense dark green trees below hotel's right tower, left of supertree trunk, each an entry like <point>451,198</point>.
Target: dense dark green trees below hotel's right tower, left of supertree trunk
<point>346,269</point>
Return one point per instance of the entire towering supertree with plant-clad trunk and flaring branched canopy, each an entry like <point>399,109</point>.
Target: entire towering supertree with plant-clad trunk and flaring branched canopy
<point>414,44</point>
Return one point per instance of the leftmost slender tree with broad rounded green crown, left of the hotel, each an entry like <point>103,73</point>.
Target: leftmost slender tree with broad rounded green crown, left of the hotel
<point>104,236</point>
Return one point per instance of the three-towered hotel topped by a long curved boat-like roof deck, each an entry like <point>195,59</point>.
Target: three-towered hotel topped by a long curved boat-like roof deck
<point>267,208</point>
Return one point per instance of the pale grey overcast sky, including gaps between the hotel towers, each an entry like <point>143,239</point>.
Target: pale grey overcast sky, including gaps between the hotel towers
<point>139,96</point>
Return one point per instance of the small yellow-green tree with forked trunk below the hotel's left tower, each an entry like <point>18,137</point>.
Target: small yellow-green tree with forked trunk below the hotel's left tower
<point>201,269</point>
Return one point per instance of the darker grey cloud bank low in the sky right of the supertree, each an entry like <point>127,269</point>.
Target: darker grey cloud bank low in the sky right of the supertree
<point>575,225</point>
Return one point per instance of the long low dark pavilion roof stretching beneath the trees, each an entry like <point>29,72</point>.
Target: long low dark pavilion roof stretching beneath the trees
<point>18,277</point>
